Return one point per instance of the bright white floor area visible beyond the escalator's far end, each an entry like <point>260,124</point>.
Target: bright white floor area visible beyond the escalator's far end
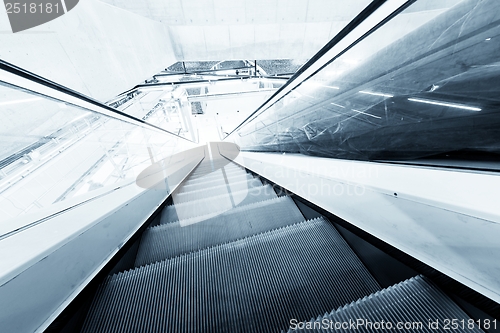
<point>179,107</point>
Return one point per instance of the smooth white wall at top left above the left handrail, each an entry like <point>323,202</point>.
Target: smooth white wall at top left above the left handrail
<point>96,49</point>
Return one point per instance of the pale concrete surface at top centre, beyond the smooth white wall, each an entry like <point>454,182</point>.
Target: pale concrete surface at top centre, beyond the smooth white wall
<point>247,29</point>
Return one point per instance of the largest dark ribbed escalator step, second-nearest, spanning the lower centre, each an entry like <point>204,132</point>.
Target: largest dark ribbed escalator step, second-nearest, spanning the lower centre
<point>256,284</point>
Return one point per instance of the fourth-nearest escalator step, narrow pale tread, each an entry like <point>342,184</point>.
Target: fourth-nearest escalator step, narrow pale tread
<point>221,202</point>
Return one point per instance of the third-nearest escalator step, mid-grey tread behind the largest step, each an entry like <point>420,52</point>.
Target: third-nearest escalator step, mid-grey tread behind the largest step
<point>169,240</point>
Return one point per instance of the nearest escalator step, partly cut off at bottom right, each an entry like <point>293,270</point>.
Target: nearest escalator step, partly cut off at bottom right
<point>415,302</point>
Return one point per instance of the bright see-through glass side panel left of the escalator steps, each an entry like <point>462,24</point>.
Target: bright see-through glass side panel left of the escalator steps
<point>54,152</point>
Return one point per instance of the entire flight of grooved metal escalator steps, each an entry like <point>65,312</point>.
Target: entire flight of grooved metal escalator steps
<point>230,255</point>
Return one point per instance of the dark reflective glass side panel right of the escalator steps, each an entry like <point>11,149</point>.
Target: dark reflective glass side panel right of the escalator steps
<point>422,86</point>
